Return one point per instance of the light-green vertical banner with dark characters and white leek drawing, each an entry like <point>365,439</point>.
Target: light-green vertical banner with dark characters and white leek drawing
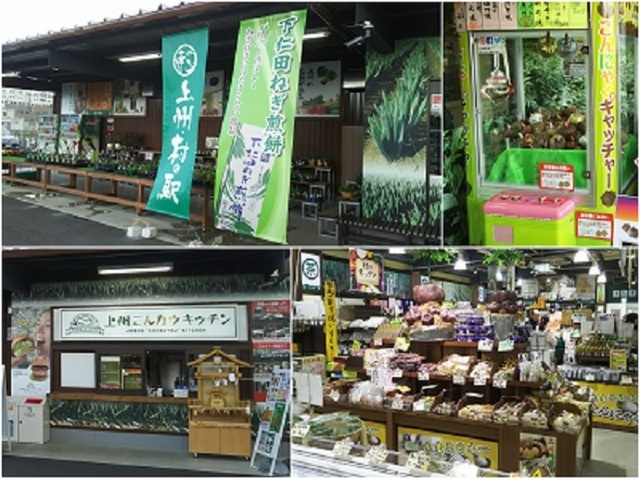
<point>256,140</point>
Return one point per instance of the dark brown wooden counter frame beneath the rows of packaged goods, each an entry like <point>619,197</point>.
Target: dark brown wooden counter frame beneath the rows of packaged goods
<point>499,444</point>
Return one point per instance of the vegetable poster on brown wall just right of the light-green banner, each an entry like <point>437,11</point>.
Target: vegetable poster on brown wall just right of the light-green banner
<point>319,89</point>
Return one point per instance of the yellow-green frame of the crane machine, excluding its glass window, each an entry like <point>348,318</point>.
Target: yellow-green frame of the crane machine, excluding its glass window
<point>597,201</point>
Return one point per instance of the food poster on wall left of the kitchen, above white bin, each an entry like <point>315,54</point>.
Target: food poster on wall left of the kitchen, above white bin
<point>30,351</point>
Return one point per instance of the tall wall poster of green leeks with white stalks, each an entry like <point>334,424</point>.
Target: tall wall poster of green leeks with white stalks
<point>396,135</point>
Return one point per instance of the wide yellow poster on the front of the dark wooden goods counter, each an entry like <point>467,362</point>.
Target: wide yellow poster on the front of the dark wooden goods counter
<point>443,447</point>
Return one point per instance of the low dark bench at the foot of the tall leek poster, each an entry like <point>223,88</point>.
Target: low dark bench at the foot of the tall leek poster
<point>357,230</point>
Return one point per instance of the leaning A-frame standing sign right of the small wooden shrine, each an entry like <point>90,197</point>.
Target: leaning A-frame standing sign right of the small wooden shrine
<point>273,419</point>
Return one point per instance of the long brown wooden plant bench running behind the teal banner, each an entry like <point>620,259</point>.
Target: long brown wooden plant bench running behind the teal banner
<point>43,180</point>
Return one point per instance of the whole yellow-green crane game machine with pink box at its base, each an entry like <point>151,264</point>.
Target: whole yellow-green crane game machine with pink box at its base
<point>551,128</point>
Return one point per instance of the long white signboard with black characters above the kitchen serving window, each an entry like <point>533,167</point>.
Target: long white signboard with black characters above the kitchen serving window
<point>159,323</point>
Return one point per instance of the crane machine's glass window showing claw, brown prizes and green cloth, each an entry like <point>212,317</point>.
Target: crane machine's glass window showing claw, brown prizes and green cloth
<point>531,92</point>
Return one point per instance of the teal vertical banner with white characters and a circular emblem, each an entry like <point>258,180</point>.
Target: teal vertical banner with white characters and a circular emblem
<point>184,59</point>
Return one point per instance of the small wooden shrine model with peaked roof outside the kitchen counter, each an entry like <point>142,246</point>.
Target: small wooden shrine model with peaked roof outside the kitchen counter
<point>219,422</point>
